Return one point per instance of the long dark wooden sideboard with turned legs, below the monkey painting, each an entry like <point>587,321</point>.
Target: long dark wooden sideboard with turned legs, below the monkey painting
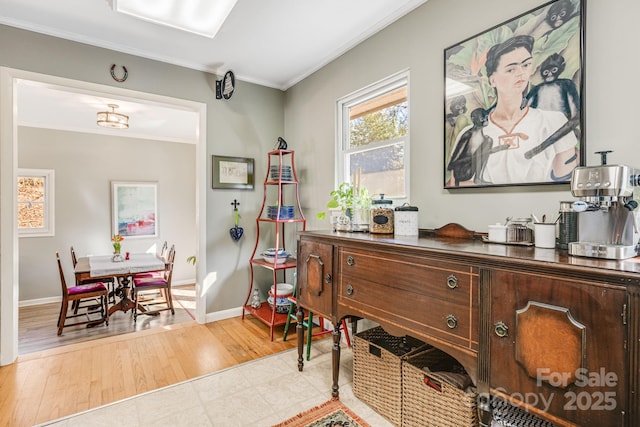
<point>556,334</point>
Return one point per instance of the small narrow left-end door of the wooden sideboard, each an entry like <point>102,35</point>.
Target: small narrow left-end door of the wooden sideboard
<point>315,277</point>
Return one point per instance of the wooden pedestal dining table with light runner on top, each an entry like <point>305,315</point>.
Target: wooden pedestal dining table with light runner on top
<point>104,266</point>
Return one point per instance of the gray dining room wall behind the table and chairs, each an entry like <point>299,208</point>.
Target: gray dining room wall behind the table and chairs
<point>85,165</point>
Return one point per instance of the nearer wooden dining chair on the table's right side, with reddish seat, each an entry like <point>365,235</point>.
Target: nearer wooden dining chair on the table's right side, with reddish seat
<point>161,284</point>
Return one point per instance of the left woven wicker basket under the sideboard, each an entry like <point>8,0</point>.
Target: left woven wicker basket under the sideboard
<point>377,370</point>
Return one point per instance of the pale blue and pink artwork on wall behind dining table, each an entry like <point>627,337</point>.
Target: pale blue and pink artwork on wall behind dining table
<point>134,209</point>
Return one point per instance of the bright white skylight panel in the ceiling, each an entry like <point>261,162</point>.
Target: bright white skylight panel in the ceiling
<point>202,17</point>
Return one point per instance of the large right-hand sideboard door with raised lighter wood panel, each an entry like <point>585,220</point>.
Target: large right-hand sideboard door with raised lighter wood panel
<point>558,345</point>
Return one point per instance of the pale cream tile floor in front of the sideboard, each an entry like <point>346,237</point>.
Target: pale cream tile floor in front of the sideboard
<point>259,393</point>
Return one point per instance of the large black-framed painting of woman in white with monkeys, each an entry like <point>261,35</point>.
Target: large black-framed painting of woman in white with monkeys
<point>514,101</point>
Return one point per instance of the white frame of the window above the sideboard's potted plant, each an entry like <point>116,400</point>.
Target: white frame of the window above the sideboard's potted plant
<point>374,90</point>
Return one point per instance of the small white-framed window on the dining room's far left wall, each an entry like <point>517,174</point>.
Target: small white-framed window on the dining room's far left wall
<point>35,202</point>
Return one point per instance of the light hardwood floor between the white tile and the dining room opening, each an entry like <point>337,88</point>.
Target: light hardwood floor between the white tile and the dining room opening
<point>45,385</point>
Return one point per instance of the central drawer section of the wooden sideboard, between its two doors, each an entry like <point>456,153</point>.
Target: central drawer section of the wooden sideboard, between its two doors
<point>438,297</point>
